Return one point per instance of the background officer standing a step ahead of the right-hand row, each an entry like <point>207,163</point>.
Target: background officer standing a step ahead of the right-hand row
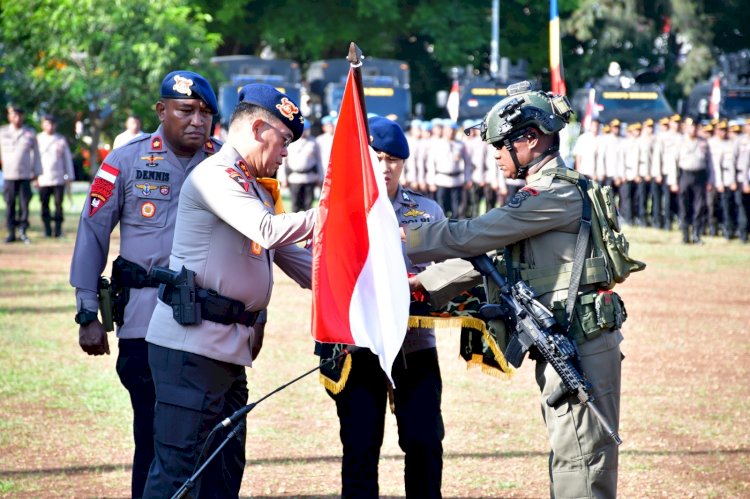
<point>694,163</point>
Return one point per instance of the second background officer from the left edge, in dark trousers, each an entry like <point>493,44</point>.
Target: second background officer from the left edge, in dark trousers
<point>57,173</point>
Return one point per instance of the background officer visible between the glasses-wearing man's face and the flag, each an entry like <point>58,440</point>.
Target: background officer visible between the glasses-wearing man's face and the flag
<point>302,170</point>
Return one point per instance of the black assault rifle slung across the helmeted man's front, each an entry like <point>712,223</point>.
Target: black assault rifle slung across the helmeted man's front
<point>535,326</point>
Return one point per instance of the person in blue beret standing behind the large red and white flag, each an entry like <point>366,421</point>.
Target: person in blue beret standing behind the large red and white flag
<point>416,373</point>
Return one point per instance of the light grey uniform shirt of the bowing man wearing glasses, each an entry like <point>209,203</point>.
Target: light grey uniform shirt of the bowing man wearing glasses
<point>227,233</point>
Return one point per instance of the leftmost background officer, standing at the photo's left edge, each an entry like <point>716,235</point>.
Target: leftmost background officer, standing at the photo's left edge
<point>19,153</point>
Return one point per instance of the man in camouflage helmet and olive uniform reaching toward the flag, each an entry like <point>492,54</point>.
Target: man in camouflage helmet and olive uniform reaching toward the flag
<point>539,228</point>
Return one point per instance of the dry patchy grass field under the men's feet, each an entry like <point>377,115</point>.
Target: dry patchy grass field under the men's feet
<point>65,426</point>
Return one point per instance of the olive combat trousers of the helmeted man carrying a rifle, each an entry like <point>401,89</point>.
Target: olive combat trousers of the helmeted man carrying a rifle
<point>583,457</point>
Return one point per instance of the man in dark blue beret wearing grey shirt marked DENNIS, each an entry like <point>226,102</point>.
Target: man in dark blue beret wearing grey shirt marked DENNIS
<point>138,186</point>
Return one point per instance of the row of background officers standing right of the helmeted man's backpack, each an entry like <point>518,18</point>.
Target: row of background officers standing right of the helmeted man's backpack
<point>697,172</point>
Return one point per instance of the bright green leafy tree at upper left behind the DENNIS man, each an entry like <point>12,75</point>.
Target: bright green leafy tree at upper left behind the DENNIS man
<point>99,60</point>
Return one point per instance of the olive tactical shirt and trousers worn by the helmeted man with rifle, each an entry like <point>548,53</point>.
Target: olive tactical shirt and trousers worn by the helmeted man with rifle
<point>544,218</point>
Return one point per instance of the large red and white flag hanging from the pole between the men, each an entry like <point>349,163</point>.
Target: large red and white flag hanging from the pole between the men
<point>359,281</point>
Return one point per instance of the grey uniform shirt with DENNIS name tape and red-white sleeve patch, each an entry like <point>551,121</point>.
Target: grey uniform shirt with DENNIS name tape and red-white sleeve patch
<point>137,186</point>
